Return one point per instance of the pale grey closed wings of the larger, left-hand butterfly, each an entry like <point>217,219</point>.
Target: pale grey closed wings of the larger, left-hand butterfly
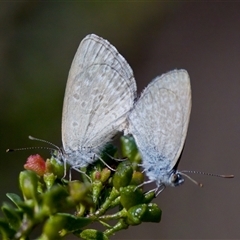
<point>100,92</point>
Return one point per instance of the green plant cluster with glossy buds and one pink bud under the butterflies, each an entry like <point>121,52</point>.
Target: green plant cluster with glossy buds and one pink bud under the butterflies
<point>65,207</point>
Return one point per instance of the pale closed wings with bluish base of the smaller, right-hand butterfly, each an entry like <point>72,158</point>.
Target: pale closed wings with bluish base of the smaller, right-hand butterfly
<point>159,121</point>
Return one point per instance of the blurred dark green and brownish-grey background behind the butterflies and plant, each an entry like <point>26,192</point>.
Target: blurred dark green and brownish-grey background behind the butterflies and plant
<point>37,45</point>
